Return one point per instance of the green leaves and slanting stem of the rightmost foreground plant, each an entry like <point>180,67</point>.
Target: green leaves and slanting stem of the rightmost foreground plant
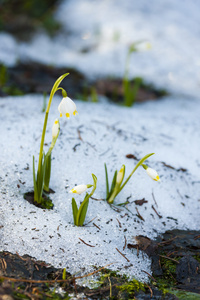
<point>116,187</point>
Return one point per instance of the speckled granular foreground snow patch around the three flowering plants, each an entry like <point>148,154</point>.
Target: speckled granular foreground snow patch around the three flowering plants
<point>170,128</point>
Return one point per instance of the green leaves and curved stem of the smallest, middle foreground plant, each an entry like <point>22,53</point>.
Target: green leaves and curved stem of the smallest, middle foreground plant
<point>80,214</point>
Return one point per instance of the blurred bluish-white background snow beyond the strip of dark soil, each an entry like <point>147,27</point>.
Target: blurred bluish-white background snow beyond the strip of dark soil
<point>97,34</point>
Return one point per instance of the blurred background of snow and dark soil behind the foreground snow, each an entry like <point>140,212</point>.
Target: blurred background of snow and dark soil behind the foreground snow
<point>125,50</point>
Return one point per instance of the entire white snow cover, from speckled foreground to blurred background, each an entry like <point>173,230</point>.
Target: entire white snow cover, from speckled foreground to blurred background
<point>169,127</point>
